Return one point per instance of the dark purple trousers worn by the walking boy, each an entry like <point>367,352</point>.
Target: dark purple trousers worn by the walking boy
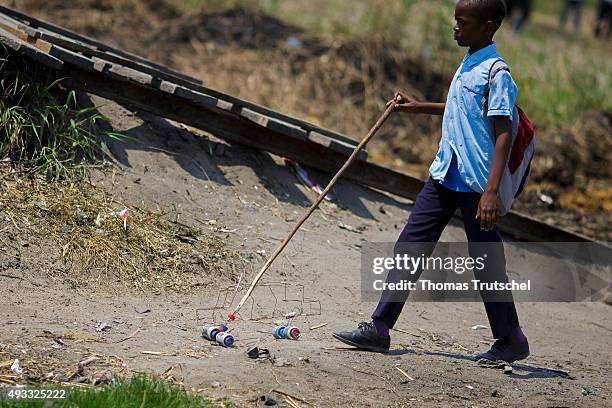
<point>433,209</point>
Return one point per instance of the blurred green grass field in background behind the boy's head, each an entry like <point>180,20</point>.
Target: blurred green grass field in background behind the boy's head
<point>562,77</point>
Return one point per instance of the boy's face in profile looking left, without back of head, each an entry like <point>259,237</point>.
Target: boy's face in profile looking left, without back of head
<point>470,30</point>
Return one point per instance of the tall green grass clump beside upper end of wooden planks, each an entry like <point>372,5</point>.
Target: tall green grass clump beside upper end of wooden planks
<point>42,130</point>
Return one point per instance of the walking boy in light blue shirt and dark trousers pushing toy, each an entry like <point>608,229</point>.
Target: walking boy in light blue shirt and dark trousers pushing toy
<point>466,173</point>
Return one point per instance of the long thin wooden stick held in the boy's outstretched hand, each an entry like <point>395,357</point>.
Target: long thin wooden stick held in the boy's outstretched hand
<point>297,226</point>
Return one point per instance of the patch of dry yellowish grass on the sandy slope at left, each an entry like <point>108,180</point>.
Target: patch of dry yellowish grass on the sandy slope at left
<point>81,225</point>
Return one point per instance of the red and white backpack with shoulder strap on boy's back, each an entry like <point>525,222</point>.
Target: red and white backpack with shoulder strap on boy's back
<point>516,172</point>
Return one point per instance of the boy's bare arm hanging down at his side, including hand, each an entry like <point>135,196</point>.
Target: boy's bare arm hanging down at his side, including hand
<point>488,206</point>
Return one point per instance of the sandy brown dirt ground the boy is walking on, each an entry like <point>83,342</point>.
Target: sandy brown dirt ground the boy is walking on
<point>253,193</point>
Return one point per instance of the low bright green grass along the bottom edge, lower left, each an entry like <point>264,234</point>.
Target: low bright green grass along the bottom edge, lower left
<point>139,392</point>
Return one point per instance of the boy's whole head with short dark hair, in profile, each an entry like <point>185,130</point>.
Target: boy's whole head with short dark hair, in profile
<point>477,21</point>
